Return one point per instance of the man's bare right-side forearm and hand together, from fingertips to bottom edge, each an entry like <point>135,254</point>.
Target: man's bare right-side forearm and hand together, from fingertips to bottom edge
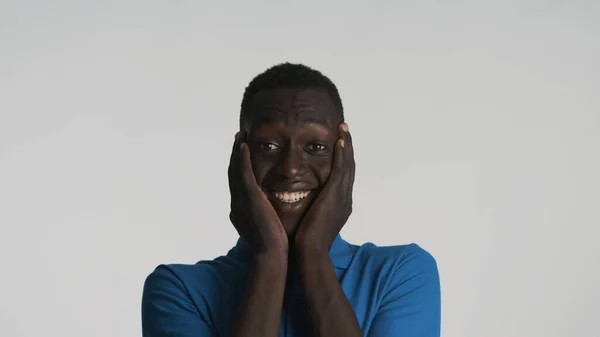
<point>330,311</point>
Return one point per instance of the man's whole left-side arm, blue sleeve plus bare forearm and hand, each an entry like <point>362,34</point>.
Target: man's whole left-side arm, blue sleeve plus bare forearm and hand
<point>167,310</point>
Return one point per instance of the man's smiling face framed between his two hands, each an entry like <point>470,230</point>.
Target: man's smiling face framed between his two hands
<point>291,134</point>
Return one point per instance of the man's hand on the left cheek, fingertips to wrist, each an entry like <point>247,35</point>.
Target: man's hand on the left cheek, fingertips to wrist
<point>252,214</point>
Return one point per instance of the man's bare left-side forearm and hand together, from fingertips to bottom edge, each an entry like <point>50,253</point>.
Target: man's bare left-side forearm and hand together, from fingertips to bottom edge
<point>253,216</point>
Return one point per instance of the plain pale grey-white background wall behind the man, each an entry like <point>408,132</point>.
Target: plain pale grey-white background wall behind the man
<point>476,128</point>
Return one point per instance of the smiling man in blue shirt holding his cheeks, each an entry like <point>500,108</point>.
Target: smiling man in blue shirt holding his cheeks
<point>291,274</point>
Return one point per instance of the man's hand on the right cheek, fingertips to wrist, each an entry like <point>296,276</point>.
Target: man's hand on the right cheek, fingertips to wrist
<point>333,206</point>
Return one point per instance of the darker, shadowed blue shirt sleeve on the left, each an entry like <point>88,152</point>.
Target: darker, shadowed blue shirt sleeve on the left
<point>167,310</point>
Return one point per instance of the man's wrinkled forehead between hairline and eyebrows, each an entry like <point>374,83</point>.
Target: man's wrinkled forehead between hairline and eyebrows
<point>294,106</point>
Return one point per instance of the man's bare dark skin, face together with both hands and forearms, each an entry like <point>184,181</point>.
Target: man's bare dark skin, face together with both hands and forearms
<point>296,141</point>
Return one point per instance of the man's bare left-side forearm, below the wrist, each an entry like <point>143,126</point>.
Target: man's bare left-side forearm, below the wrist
<point>259,313</point>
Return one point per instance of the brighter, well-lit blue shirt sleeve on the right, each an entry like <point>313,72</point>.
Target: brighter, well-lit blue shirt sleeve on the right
<point>411,306</point>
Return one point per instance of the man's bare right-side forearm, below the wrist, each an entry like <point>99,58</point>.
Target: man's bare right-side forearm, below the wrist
<point>330,311</point>
